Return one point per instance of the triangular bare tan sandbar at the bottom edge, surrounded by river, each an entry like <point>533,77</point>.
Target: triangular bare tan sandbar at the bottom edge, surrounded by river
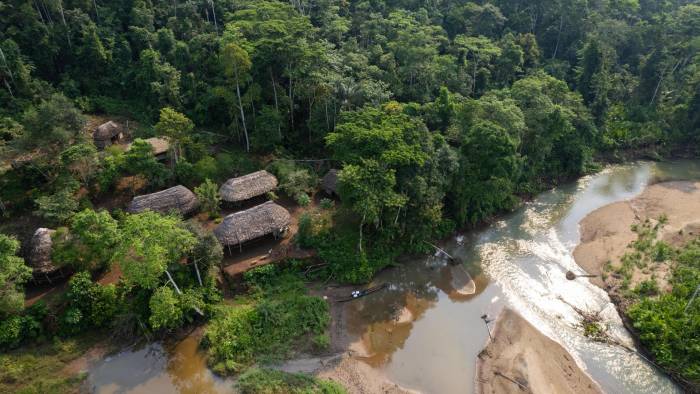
<point>520,353</point>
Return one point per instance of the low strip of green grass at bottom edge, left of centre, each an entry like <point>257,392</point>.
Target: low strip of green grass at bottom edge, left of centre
<point>266,381</point>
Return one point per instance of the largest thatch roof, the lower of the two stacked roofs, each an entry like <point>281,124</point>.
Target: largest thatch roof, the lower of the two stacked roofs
<point>256,222</point>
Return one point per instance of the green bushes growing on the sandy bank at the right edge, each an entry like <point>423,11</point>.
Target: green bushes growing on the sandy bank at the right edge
<point>665,319</point>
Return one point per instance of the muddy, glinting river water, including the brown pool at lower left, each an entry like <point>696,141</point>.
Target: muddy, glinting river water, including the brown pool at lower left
<point>424,332</point>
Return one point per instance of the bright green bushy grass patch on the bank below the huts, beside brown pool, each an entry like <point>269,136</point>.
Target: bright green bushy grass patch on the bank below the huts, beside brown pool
<point>270,322</point>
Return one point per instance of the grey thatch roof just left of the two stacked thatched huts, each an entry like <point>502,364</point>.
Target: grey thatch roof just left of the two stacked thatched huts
<point>178,198</point>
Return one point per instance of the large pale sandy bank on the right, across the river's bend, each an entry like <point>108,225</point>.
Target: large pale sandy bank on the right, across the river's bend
<point>606,233</point>
